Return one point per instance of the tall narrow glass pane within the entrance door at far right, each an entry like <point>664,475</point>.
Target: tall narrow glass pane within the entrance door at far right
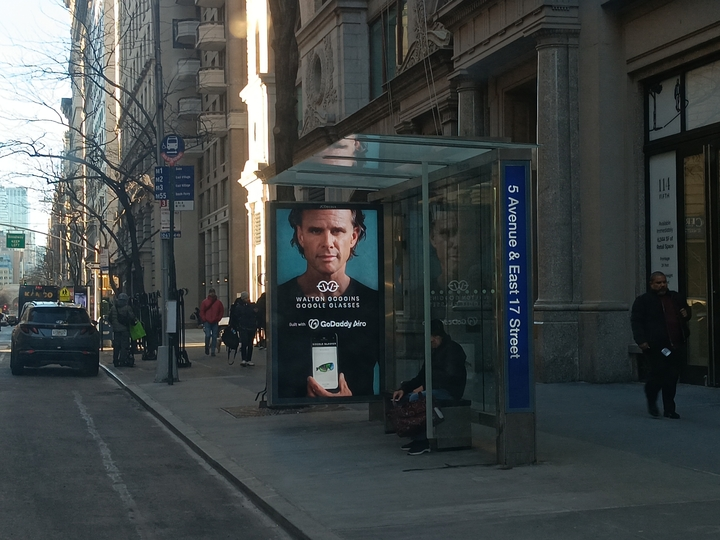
<point>696,258</point>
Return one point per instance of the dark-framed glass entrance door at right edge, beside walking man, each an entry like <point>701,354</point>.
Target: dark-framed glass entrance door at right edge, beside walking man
<point>700,266</point>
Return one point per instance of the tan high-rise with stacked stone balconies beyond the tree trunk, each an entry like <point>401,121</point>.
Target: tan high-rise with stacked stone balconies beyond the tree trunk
<point>223,251</point>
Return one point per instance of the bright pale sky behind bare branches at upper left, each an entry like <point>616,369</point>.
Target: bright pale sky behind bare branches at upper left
<point>34,41</point>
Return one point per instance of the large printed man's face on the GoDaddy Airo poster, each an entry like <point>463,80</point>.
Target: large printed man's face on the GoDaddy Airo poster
<point>327,238</point>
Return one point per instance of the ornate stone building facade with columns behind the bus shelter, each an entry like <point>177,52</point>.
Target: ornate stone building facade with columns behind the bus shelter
<point>621,99</point>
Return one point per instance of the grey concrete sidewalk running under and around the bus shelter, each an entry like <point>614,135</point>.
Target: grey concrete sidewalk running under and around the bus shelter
<point>606,469</point>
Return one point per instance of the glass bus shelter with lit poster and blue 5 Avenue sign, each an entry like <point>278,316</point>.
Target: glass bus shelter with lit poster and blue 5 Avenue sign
<point>449,222</point>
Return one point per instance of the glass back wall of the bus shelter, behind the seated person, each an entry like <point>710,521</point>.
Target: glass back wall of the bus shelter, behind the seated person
<point>462,290</point>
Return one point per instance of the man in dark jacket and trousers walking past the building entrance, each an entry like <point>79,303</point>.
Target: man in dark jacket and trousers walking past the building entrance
<point>659,324</point>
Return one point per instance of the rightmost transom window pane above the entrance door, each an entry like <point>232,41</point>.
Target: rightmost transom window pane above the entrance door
<point>702,91</point>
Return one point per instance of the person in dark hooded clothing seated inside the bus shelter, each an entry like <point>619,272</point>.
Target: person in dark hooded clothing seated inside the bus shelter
<point>449,376</point>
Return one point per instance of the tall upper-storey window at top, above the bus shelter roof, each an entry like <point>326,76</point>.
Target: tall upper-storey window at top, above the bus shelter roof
<point>388,45</point>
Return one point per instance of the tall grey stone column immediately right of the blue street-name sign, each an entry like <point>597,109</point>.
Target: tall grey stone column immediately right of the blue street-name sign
<point>558,220</point>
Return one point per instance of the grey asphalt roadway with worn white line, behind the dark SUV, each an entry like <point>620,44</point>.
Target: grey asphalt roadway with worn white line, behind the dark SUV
<point>82,460</point>
